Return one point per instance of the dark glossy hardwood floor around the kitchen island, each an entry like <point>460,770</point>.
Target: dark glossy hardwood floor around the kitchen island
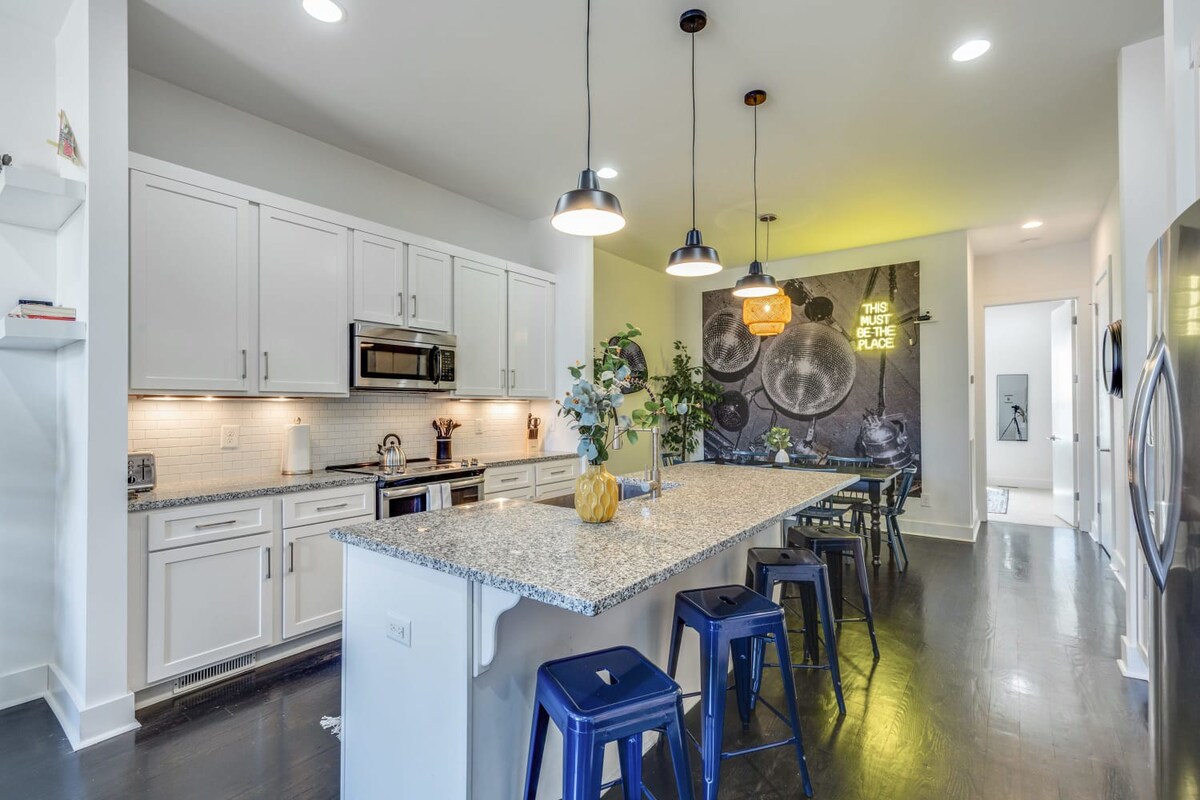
<point>998,679</point>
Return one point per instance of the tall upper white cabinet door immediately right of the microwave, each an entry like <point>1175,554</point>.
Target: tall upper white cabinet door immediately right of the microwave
<point>482,311</point>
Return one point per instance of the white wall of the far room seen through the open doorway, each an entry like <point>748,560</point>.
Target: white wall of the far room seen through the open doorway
<point>1017,342</point>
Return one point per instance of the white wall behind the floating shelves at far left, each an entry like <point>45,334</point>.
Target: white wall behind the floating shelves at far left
<point>28,383</point>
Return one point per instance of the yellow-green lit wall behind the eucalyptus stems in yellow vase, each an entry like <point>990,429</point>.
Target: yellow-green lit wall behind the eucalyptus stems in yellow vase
<point>626,292</point>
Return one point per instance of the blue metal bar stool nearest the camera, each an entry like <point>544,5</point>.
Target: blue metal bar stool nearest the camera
<point>601,697</point>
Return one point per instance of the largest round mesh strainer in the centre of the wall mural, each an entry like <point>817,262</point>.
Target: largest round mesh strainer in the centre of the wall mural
<point>809,370</point>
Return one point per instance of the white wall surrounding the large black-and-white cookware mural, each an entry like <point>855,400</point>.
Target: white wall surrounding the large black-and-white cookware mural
<point>947,508</point>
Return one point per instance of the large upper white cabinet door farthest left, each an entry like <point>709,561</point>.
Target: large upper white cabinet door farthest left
<point>190,292</point>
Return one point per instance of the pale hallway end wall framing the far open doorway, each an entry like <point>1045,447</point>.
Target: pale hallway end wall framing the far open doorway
<point>1034,275</point>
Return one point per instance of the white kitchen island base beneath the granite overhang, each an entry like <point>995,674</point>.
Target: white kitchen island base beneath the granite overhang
<point>418,724</point>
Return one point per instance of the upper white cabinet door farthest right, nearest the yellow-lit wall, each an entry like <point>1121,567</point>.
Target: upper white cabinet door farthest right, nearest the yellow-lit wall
<point>531,338</point>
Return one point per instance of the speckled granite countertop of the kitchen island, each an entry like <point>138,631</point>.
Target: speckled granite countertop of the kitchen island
<point>547,554</point>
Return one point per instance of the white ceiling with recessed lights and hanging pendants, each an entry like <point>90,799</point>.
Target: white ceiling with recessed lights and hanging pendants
<point>871,133</point>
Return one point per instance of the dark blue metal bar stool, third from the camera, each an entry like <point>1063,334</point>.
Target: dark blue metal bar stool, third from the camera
<point>767,567</point>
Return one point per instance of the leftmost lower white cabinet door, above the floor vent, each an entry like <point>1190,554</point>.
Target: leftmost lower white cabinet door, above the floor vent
<point>207,604</point>
